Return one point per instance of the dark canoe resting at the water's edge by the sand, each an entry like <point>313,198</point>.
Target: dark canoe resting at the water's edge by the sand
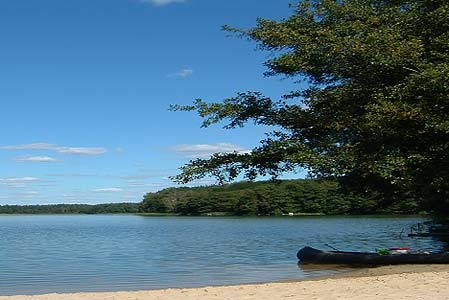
<point>315,256</point>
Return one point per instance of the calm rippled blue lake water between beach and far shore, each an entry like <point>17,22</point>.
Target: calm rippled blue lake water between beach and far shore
<point>72,253</point>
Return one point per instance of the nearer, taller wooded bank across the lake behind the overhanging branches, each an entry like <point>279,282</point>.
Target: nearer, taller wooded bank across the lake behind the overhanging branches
<point>265,198</point>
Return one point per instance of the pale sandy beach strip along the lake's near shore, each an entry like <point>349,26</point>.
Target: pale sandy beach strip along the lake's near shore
<point>390,282</point>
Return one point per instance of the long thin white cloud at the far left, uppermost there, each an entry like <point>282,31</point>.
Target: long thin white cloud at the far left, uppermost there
<point>57,148</point>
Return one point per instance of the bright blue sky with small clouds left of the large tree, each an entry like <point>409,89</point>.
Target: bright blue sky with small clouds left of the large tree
<point>85,87</point>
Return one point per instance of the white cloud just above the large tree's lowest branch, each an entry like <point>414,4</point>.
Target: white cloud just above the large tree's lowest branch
<point>206,150</point>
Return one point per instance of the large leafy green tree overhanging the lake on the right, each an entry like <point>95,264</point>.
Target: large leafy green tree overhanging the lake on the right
<point>376,110</point>
